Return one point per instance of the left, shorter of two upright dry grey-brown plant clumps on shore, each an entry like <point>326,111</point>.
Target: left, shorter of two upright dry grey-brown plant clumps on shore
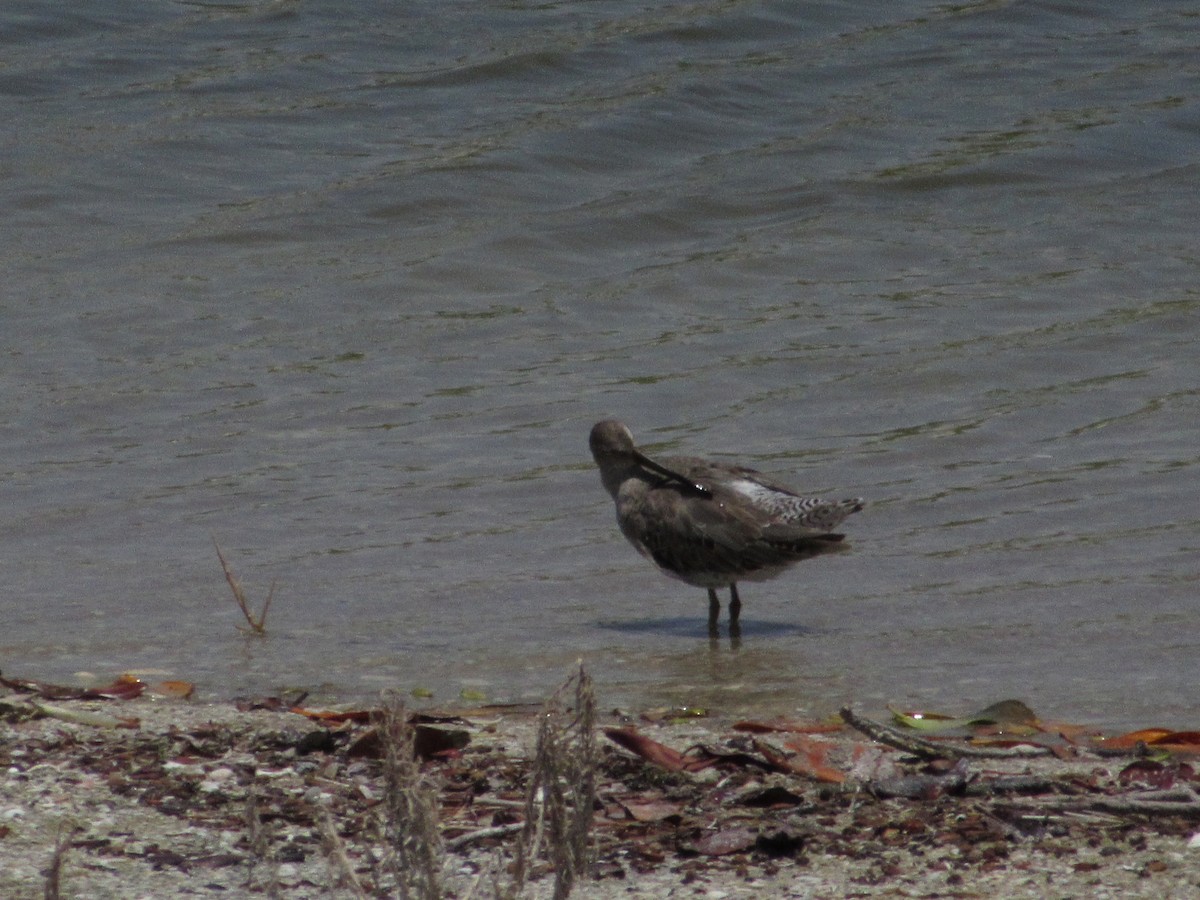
<point>411,808</point>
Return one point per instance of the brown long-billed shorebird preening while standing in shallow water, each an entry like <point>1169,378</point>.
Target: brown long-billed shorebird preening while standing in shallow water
<point>710,524</point>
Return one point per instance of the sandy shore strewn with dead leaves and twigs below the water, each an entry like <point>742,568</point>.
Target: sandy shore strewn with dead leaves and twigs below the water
<point>200,800</point>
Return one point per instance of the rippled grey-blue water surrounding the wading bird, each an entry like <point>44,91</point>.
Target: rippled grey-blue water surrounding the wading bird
<point>345,285</point>
